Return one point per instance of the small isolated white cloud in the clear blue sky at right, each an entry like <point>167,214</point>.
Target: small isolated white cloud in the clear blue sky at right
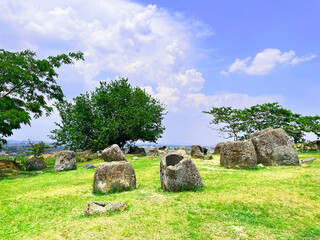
<point>265,61</point>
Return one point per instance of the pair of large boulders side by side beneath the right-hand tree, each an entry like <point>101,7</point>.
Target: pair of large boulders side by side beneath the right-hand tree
<point>267,147</point>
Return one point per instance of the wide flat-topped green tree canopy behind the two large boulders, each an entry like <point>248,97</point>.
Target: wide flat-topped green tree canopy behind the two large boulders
<point>240,123</point>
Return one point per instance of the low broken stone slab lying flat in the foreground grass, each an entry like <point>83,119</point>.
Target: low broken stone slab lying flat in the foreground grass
<point>100,208</point>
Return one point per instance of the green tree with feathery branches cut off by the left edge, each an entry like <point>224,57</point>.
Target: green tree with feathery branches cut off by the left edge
<point>24,83</point>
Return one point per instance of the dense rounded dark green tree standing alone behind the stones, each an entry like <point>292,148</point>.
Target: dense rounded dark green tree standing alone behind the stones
<point>115,113</point>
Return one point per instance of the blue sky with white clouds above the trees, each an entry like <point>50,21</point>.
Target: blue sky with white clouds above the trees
<point>192,55</point>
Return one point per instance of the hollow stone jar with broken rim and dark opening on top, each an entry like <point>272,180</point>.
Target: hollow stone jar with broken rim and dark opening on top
<point>178,172</point>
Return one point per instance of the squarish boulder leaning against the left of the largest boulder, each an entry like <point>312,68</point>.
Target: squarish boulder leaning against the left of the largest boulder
<point>238,155</point>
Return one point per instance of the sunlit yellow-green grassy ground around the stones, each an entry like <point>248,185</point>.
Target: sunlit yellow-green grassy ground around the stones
<point>268,203</point>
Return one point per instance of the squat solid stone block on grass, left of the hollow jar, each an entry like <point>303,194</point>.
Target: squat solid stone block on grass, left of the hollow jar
<point>111,176</point>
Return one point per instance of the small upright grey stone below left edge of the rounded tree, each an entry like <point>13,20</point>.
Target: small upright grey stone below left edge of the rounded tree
<point>66,160</point>
